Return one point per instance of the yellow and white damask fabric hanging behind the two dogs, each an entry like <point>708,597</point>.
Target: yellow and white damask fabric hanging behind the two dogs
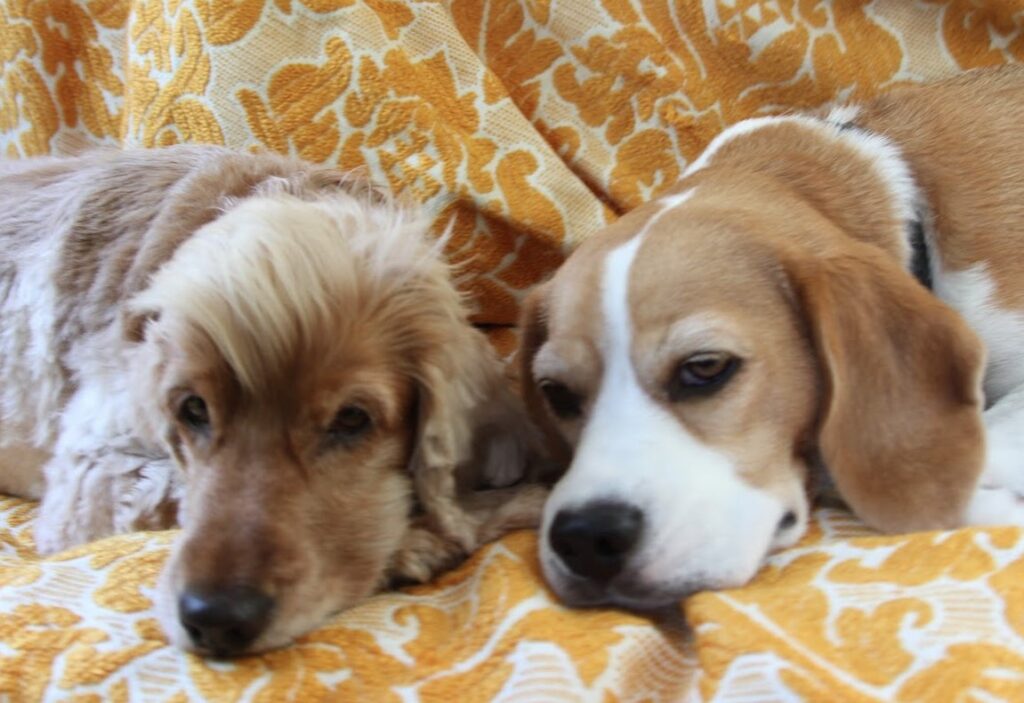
<point>531,123</point>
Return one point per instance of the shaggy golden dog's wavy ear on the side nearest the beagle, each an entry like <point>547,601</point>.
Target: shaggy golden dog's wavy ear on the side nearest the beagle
<point>474,431</point>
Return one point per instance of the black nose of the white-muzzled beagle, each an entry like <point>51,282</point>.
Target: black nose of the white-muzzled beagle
<point>595,541</point>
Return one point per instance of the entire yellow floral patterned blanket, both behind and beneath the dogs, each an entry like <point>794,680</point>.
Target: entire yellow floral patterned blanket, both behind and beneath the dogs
<point>531,124</point>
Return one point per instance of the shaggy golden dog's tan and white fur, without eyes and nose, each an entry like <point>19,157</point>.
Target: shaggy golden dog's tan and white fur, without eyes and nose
<point>279,293</point>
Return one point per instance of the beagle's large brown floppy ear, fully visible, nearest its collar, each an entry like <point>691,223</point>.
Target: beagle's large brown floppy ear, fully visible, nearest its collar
<point>901,424</point>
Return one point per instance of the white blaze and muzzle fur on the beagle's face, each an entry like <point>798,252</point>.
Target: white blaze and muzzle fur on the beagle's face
<point>704,525</point>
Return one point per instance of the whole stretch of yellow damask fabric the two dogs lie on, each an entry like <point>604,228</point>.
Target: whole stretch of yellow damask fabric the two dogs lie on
<point>844,617</point>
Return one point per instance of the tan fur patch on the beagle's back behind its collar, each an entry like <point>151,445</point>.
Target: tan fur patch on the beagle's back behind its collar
<point>965,142</point>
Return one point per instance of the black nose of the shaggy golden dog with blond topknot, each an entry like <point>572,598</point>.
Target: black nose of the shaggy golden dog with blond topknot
<point>225,622</point>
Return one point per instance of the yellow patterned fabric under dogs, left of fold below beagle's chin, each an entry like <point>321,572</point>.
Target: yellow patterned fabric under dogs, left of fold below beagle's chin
<point>80,628</point>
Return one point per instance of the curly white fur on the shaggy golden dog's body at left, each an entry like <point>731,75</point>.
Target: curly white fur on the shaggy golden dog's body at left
<point>77,414</point>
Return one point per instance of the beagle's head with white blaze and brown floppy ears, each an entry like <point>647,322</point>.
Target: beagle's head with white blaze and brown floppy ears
<point>700,356</point>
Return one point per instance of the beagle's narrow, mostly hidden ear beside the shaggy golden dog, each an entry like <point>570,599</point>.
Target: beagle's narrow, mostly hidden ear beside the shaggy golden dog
<point>534,324</point>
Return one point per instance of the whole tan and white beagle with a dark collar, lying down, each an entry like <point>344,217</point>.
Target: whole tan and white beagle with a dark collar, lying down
<point>841,290</point>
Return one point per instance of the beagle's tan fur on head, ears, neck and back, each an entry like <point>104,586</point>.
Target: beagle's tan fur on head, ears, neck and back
<point>792,253</point>
